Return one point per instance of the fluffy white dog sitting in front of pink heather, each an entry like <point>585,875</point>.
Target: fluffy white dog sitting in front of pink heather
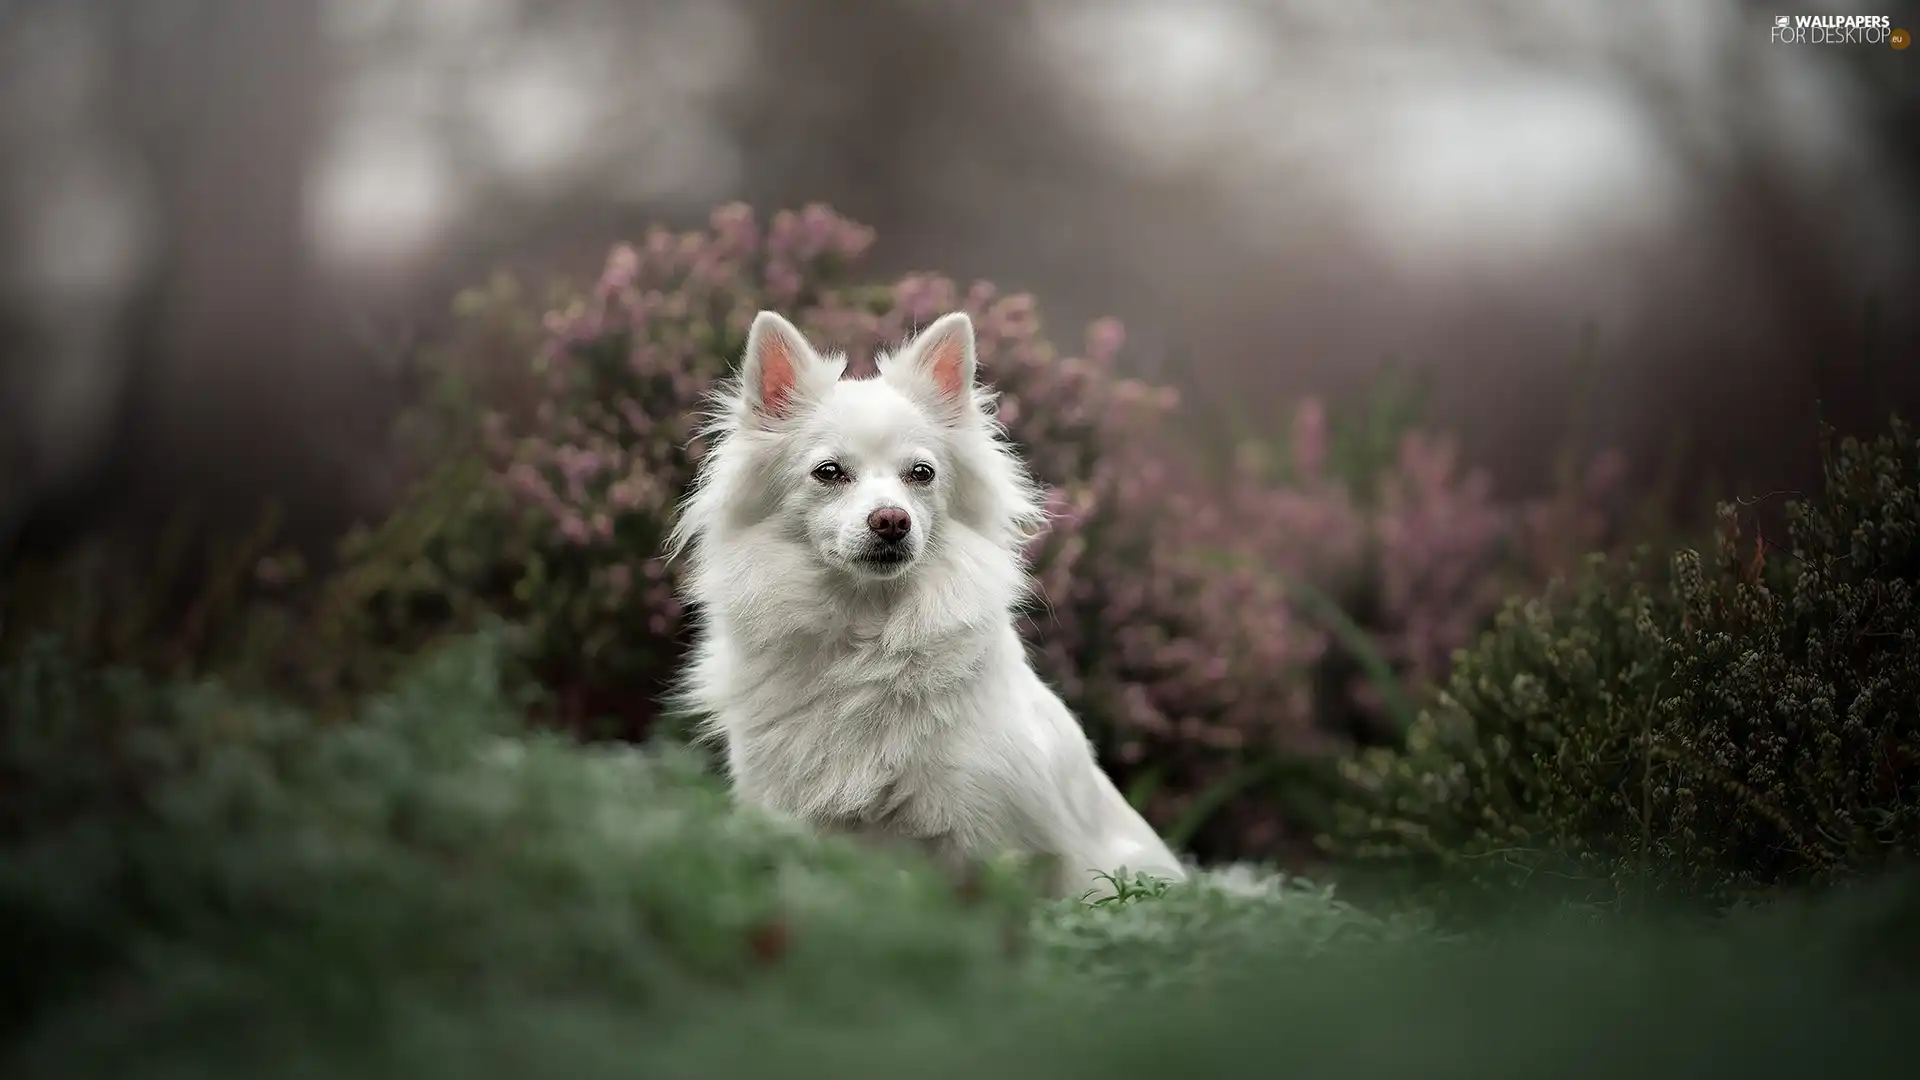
<point>886,699</point>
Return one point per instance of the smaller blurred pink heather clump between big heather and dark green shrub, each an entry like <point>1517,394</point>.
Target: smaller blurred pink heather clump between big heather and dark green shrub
<point>1416,552</point>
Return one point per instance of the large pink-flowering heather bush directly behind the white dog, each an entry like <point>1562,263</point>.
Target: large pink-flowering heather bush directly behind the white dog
<point>554,512</point>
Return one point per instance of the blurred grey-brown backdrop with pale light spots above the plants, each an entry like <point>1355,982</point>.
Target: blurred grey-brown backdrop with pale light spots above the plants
<point>226,220</point>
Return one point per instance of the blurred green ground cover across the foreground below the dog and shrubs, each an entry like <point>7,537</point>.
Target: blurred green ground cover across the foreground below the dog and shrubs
<point>197,885</point>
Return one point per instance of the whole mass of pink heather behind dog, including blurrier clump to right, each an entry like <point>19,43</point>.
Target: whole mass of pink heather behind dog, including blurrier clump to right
<point>1176,606</point>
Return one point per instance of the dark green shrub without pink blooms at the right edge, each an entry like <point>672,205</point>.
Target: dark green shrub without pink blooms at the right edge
<point>1744,722</point>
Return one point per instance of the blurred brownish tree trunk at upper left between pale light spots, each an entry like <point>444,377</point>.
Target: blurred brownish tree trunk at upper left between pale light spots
<point>224,101</point>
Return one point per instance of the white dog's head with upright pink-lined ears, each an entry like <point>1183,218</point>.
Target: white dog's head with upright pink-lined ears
<point>867,474</point>
